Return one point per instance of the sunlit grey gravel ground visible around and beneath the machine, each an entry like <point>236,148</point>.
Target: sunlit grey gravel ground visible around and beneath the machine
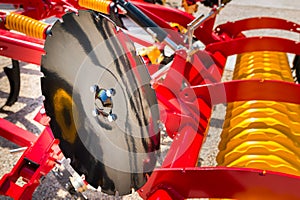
<point>30,101</point>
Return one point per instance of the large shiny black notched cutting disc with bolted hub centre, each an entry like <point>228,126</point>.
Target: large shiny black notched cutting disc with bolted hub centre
<point>87,50</point>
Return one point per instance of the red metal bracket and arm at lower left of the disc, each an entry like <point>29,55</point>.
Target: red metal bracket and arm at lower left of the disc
<point>37,160</point>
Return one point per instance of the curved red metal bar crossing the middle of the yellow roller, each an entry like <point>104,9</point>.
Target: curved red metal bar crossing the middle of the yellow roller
<point>247,90</point>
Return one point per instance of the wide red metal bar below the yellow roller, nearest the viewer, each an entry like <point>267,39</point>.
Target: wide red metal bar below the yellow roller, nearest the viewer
<point>220,182</point>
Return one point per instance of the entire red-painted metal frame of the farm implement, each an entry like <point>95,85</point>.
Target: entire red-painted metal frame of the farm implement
<point>185,113</point>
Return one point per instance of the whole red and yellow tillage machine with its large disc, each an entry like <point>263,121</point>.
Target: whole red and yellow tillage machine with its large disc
<point>118,74</point>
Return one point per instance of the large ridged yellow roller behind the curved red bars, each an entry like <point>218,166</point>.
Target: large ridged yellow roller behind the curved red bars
<point>262,134</point>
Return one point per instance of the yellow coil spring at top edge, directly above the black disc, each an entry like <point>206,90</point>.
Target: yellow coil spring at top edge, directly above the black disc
<point>102,6</point>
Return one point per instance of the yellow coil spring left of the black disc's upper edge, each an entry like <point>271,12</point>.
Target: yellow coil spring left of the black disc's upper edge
<point>26,25</point>
